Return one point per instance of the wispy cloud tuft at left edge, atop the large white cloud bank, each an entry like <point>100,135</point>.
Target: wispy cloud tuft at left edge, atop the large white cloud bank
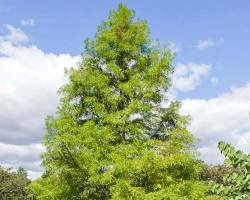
<point>15,35</point>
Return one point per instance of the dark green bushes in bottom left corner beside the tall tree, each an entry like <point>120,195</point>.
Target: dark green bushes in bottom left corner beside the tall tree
<point>13,184</point>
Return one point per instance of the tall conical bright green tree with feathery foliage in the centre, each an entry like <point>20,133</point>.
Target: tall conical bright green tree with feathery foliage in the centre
<point>115,136</point>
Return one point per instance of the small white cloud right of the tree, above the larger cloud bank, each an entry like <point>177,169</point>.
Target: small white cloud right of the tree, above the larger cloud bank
<point>187,77</point>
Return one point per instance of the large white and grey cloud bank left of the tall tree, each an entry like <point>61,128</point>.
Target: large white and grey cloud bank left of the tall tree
<point>29,80</point>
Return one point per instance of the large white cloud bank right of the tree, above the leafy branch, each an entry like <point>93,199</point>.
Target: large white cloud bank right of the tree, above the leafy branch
<point>222,118</point>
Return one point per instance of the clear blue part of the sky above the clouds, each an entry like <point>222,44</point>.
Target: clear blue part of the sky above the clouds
<point>61,27</point>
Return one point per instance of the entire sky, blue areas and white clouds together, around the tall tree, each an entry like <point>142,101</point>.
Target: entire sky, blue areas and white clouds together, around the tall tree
<point>39,38</point>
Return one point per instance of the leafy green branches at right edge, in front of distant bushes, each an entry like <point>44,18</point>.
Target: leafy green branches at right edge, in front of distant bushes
<point>235,185</point>
